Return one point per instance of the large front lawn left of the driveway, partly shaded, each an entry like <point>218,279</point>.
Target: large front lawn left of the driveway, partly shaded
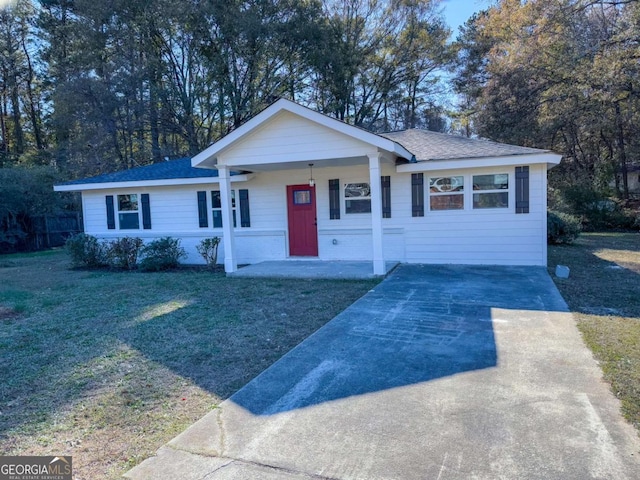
<point>109,366</point>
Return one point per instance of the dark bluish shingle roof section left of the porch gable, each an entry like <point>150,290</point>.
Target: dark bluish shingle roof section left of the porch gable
<point>172,169</point>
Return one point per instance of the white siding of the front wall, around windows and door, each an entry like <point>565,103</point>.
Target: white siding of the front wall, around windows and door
<point>495,236</point>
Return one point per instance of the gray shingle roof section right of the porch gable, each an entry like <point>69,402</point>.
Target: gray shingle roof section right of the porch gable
<point>426,145</point>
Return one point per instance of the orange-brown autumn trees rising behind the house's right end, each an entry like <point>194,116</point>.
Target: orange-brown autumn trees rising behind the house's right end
<point>557,74</point>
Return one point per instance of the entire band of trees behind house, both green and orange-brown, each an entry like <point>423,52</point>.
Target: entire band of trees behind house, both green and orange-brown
<point>88,87</point>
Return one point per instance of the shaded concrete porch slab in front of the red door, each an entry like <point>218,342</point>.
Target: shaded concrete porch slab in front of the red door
<point>309,269</point>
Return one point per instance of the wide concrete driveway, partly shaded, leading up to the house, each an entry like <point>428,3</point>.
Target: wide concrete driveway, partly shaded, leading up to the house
<point>440,372</point>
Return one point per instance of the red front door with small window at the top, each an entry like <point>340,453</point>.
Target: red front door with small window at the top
<point>303,230</point>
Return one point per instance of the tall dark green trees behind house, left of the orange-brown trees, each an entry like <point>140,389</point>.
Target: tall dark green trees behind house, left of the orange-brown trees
<point>89,87</point>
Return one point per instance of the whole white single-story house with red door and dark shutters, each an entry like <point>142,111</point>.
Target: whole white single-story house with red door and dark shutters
<point>293,183</point>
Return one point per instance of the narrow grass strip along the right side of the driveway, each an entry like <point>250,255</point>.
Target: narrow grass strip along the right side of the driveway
<point>603,291</point>
